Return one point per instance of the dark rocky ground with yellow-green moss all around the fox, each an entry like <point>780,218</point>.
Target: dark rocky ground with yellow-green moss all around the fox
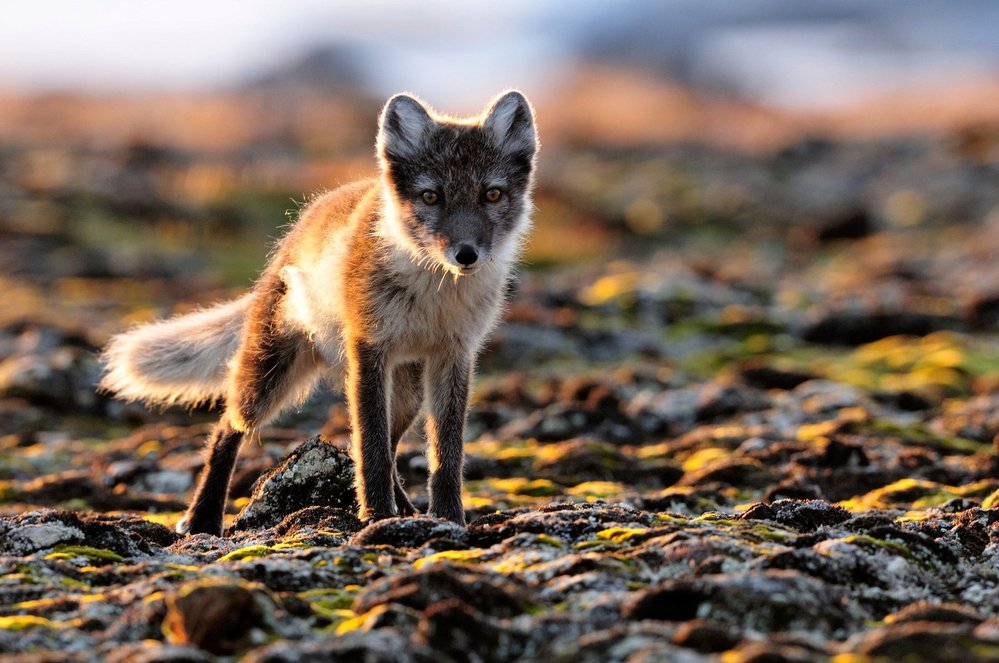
<point>764,431</point>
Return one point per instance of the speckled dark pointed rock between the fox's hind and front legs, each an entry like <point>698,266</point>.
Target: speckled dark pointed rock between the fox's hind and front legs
<point>316,473</point>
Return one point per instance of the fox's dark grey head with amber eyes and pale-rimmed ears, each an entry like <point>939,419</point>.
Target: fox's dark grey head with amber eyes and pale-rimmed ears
<point>460,188</point>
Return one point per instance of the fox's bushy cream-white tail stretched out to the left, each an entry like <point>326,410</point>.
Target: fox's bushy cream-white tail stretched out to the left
<point>183,360</point>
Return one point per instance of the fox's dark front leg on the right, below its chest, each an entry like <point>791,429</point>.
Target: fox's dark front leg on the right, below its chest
<point>448,378</point>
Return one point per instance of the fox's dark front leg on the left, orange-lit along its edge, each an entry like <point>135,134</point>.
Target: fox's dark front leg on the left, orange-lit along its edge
<point>367,394</point>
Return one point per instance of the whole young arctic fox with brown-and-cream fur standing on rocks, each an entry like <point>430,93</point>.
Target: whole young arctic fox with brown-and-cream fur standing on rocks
<point>390,284</point>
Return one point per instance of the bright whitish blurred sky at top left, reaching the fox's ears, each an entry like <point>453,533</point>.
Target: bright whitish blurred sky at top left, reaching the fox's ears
<point>185,44</point>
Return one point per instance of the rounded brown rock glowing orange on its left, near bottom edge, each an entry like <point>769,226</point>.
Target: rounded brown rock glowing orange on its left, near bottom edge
<point>219,616</point>
